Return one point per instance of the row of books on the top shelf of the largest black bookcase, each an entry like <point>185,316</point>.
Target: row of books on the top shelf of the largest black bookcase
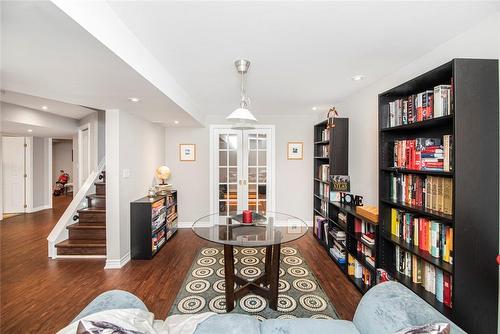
<point>422,106</point>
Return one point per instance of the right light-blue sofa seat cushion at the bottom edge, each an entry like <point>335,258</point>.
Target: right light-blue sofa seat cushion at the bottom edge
<point>307,326</point>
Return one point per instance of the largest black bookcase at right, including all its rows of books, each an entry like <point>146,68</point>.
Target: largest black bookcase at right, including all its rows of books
<point>438,189</point>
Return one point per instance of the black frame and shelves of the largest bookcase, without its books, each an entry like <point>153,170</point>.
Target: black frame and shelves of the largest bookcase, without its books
<point>474,125</point>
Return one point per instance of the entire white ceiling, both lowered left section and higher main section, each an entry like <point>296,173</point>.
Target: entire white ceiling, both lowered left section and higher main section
<point>303,54</point>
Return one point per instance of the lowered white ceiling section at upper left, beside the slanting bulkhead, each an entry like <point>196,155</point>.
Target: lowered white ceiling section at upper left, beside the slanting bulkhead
<point>47,54</point>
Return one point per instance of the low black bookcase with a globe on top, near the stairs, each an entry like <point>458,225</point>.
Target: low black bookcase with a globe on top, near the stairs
<point>153,221</point>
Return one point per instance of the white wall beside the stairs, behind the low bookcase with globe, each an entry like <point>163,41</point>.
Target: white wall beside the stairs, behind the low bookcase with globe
<point>135,147</point>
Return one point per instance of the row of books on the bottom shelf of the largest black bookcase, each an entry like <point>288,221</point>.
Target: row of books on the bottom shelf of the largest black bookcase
<point>431,278</point>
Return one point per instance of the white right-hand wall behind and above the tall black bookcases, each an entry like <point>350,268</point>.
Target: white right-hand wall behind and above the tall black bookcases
<point>481,41</point>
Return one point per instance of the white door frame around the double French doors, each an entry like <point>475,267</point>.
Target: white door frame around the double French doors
<point>272,152</point>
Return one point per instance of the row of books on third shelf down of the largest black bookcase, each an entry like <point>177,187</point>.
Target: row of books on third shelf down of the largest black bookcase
<point>431,192</point>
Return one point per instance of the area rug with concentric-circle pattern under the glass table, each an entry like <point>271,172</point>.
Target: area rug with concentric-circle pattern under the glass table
<point>300,295</point>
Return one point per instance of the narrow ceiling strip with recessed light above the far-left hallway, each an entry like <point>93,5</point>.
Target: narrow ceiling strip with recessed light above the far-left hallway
<point>52,106</point>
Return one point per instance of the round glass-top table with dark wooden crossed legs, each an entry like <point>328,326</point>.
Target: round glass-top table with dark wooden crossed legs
<point>269,231</point>
